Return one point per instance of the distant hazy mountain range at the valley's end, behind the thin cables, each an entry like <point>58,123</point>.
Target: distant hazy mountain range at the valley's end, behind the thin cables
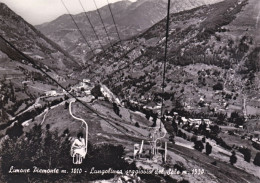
<point>131,19</point>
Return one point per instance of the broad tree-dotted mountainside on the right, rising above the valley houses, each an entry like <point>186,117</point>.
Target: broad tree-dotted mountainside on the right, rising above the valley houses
<point>204,53</point>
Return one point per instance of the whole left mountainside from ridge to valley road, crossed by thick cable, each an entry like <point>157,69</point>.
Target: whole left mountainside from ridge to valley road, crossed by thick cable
<point>20,81</point>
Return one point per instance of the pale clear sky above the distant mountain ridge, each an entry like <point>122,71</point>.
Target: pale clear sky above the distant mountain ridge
<point>39,11</point>
